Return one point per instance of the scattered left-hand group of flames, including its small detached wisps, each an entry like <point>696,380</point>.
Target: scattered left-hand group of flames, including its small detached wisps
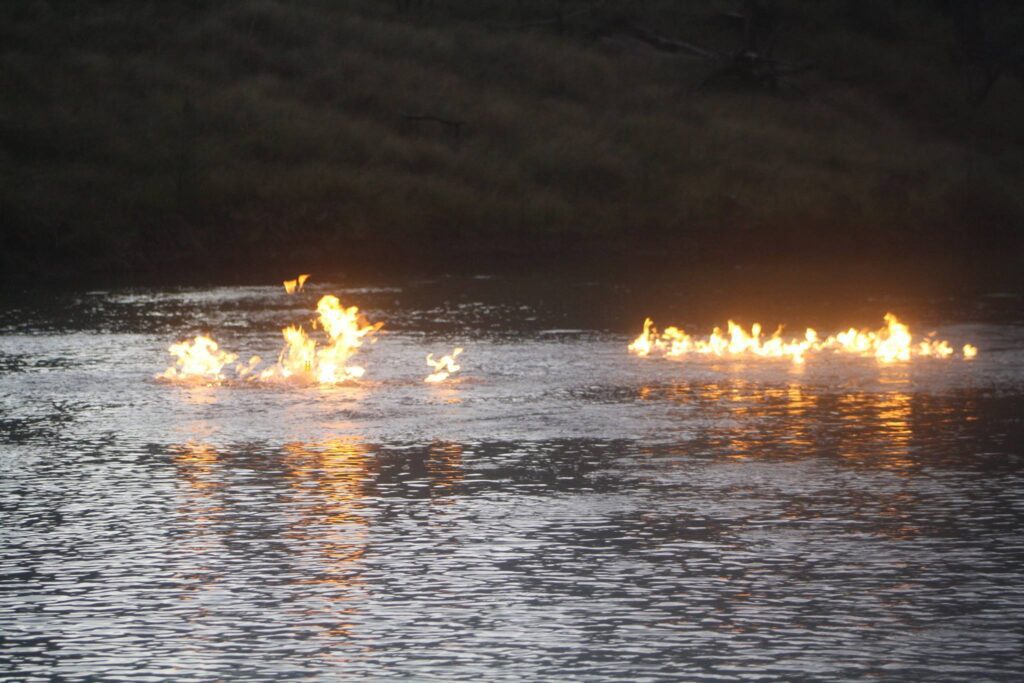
<point>304,358</point>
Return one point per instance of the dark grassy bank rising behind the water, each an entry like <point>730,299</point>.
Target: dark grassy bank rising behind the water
<point>174,137</point>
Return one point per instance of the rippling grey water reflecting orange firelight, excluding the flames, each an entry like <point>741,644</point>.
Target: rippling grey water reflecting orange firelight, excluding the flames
<point>565,513</point>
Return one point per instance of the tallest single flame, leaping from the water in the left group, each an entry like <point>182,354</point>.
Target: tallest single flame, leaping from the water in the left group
<point>302,358</point>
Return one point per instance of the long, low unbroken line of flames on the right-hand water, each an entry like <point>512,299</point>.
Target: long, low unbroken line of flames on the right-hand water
<point>891,344</point>
